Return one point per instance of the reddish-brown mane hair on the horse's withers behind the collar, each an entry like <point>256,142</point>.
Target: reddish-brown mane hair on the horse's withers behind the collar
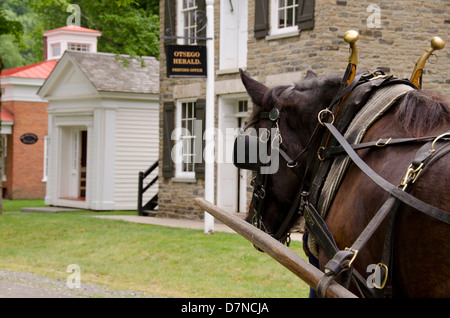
<point>421,111</point>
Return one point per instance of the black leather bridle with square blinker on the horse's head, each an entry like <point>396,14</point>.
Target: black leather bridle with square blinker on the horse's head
<point>305,162</point>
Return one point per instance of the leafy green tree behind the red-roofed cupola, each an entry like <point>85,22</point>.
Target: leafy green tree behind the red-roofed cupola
<point>128,26</point>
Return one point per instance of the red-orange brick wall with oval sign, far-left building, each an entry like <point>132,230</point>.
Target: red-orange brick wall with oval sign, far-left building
<point>25,163</point>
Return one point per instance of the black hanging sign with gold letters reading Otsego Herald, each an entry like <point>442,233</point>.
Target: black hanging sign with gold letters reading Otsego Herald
<point>186,61</point>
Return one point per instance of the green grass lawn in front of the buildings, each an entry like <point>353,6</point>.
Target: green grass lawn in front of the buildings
<point>158,260</point>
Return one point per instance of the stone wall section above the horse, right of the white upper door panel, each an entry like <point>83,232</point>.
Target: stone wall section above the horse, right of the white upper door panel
<point>406,28</point>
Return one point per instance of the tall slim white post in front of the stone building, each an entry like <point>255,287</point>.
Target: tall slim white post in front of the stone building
<point>209,120</point>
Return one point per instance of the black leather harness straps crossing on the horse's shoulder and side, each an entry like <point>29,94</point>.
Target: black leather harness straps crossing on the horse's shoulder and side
<point>341,260</point>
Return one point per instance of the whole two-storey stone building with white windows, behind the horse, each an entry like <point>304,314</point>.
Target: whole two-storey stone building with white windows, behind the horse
<point>276,42</point>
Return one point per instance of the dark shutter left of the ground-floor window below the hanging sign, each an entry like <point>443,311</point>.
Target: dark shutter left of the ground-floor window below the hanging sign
<point>168,127</point>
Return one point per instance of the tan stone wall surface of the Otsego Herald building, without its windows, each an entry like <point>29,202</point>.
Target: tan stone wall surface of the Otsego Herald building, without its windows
<point>406,28</point>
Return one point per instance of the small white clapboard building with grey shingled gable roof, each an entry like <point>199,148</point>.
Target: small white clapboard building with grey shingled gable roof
<point>102,129</point>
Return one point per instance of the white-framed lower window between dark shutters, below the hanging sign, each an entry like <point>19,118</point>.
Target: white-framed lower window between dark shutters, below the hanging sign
<point>182,134</point>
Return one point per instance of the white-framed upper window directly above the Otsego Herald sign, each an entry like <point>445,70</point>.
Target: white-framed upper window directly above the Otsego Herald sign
<point>188,24</point>
